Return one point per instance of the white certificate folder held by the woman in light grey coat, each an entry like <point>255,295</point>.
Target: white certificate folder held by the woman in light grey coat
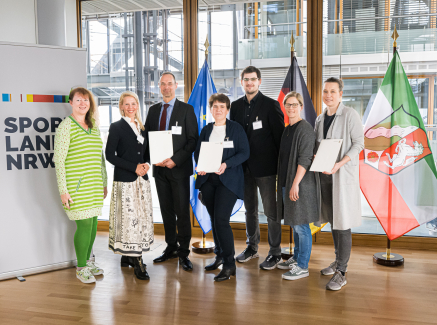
<point>326,155</point>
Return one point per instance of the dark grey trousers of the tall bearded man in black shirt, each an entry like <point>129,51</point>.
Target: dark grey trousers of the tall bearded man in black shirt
<point>267,189</point>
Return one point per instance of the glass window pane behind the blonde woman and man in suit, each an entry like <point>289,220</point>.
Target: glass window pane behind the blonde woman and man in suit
<point>113,63</point>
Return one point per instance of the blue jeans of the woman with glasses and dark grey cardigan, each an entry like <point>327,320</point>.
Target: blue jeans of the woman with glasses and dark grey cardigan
<point>303,241</point>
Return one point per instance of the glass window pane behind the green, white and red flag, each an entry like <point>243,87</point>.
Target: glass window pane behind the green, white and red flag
<point>357,47</point>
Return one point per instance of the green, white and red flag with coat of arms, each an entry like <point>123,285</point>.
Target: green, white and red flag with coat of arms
<point>398,174</point>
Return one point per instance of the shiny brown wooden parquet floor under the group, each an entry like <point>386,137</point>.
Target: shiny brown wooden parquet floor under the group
<point>374,294</point>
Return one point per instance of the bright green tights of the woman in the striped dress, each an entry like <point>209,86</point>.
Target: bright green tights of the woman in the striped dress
<point>84,239</point>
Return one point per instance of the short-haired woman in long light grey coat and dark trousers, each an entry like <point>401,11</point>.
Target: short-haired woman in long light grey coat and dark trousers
<point>340,187</point>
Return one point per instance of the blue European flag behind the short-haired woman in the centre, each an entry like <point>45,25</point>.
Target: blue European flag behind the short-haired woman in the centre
<point>203,89</point>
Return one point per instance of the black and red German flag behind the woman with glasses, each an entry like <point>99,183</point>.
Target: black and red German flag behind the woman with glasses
<point>294,81</point>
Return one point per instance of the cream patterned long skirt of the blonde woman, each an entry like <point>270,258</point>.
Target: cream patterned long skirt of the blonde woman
<point>131,218</point>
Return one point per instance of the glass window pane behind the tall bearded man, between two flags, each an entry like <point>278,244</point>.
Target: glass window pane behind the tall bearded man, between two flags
<point>252,34</point>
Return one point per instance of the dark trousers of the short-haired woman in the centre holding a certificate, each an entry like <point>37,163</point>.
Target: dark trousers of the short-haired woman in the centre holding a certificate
<point>219,202</point>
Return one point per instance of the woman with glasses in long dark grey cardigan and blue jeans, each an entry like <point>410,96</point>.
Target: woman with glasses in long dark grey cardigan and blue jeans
<point>298,204</point>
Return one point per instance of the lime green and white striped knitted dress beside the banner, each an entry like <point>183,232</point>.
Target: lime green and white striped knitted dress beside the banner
<point>80,168</point>
